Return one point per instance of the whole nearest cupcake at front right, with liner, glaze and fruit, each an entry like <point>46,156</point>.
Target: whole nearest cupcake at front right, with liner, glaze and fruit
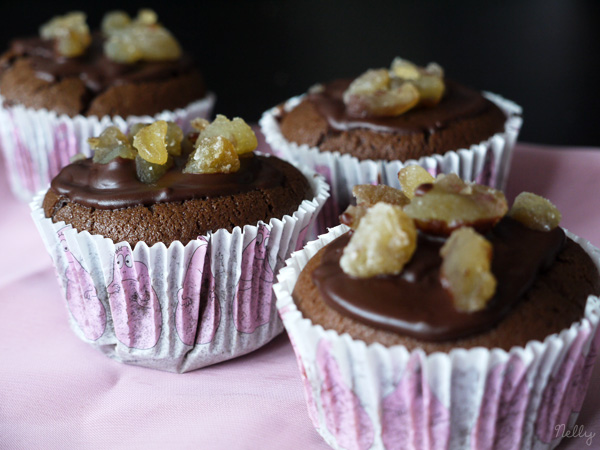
<point>443,318</point>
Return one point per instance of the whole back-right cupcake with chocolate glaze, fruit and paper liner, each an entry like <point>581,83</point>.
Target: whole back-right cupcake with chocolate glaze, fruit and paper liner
<point>363,131</point>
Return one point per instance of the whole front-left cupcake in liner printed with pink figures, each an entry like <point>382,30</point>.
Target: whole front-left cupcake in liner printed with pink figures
<point>167,246</point>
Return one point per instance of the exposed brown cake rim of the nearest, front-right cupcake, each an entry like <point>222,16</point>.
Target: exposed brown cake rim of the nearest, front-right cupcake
<point>555,301</point>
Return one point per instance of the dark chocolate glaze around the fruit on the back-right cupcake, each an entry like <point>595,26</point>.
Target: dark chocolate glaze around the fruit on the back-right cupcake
<point>459,102</point>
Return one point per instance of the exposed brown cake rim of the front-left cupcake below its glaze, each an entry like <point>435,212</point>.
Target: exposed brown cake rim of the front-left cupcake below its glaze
<point>168,222</point>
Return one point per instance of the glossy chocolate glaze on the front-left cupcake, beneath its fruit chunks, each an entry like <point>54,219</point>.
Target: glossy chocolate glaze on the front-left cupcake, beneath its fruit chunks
<point>115,185</point>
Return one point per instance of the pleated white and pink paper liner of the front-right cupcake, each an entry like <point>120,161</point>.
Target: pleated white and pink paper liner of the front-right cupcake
<point>363,396</point>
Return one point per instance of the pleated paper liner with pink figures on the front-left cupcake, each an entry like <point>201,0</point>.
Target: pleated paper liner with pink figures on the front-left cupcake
<point>182,307</point>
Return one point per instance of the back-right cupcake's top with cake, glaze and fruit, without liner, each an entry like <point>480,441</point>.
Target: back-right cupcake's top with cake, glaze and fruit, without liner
<point>404,112</point>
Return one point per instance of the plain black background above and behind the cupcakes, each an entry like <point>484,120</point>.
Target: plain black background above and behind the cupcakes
<point>542,54</point>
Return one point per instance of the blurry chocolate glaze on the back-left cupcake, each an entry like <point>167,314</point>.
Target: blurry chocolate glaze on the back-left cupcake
<point>95,69</point>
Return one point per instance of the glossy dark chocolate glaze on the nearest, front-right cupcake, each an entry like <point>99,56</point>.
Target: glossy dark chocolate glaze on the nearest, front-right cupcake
<point>414,303</point>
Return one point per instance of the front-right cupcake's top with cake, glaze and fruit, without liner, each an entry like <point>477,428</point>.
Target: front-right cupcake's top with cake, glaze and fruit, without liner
<point>443,261</point>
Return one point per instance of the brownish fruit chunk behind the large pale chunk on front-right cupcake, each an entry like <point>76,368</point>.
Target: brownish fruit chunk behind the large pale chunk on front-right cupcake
<point>368,195</point>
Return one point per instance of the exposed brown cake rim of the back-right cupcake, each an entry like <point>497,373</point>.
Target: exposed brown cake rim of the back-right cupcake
<point>304,125</point>
